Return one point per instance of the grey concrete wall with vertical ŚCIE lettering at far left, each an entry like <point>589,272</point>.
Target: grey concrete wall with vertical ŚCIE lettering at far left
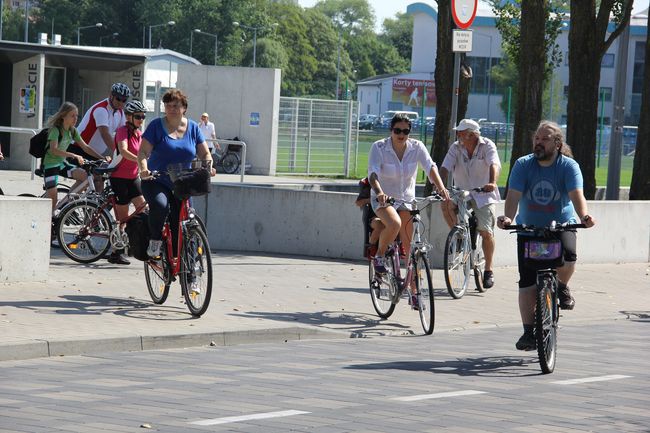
<point>27,73</point>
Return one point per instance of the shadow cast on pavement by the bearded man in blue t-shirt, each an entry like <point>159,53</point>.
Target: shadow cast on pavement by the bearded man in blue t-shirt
<point>507,366</point>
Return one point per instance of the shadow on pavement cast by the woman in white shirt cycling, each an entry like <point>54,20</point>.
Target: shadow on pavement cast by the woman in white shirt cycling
<point>361,324</point>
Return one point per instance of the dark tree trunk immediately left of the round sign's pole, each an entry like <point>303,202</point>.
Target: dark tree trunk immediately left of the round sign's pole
<point>444,87</point>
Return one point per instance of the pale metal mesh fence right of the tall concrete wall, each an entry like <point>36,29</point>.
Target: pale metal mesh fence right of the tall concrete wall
<point>317,137</point>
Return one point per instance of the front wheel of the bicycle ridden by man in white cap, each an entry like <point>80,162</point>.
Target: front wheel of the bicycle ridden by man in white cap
<point>456,263</point>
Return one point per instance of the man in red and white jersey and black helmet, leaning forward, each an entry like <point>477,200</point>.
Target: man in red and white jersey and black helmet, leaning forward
<point>98,126</point>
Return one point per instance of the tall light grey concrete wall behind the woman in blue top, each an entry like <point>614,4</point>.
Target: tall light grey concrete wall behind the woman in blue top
<point>230,95</point>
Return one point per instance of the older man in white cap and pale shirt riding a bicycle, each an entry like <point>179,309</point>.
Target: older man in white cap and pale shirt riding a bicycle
<point>474,162</point>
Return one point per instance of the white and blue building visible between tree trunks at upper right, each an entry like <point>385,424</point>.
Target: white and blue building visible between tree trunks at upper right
<point>381,93</point>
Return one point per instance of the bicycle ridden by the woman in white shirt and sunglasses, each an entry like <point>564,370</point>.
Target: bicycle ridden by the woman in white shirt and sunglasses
<point>386,289</point>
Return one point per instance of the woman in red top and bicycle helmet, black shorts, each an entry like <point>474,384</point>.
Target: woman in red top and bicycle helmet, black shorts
<point>124,180</point>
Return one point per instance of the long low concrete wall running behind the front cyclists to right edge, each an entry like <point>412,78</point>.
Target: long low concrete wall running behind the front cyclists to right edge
<point>328,224</point>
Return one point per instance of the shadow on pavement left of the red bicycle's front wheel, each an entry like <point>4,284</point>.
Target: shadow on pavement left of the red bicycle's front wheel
<point>97,305</point>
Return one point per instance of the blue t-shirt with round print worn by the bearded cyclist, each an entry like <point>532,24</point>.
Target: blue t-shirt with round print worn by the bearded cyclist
<point>545,190</point>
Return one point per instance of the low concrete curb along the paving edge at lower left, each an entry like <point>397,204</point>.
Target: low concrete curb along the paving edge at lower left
<point>31,349</point>
